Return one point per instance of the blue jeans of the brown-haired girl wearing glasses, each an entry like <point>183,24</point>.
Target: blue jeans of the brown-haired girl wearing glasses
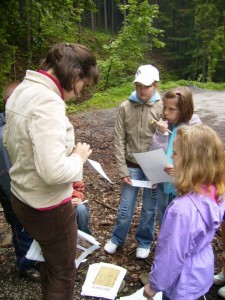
<point>163,201</point>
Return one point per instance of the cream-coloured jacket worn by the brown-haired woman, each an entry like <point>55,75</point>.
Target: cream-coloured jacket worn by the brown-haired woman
<point>39,139</point>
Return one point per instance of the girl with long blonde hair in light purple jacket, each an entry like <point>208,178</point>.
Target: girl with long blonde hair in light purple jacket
<point>183,266</point>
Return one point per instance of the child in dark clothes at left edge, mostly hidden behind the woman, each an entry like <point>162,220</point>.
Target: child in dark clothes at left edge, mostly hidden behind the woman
<point>21,239</point>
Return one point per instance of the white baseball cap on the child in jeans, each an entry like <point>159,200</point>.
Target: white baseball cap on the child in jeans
<point>146,75</point>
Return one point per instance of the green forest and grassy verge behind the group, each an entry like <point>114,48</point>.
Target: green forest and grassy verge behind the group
<point>185,39</point>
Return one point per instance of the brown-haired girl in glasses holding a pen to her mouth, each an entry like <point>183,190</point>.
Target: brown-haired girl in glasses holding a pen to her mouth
<point>178,109</point>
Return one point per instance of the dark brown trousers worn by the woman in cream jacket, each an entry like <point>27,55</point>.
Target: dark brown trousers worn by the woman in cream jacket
<point>56,232</point>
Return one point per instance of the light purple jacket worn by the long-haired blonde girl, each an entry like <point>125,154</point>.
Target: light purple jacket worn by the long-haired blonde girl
<point>183,267</point>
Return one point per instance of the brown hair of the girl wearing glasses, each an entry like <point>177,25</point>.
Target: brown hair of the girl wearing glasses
<point>185,102</point>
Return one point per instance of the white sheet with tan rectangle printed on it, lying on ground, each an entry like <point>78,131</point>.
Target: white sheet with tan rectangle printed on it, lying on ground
<point>103,280</point>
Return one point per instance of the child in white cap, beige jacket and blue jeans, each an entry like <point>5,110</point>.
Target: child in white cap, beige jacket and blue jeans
<point>133,134</point>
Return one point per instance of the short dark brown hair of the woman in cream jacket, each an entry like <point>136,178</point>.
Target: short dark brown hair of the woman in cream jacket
<point>71,60</point>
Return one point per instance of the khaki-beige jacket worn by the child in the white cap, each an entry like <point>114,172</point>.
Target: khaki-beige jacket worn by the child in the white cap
<point>134,130</point>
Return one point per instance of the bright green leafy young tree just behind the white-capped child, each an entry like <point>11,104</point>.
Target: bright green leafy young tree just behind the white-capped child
<point>134,39</point>
